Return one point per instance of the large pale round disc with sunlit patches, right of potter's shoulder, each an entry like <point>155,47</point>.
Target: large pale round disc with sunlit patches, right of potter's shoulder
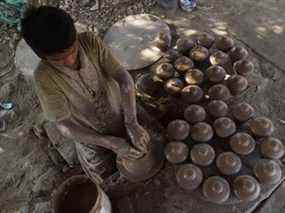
<point>132,40</point>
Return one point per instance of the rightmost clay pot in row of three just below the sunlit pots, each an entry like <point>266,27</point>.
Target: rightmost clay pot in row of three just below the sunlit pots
<point>243,111</point>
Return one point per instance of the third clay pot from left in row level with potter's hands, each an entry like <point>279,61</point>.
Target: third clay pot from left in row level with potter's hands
<point>224,127</point>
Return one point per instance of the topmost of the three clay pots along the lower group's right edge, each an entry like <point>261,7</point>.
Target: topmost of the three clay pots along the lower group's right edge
<point>261,127</point>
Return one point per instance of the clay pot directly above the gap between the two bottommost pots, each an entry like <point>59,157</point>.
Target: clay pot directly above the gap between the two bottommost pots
<point>228,163</point>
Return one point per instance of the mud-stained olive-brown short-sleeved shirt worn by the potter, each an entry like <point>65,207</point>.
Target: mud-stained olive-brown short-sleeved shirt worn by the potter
<point>64,92</point>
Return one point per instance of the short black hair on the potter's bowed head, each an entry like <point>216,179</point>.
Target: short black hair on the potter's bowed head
<point>48,30</point>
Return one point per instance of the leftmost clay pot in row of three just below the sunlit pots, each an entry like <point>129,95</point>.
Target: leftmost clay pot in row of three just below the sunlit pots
<point>194,114</point>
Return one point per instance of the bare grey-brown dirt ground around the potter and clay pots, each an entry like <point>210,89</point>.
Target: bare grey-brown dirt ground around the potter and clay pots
<point>30,169</point>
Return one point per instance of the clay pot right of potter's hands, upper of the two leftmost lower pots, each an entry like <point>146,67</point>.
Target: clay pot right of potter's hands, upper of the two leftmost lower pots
<point>178,130</point>
